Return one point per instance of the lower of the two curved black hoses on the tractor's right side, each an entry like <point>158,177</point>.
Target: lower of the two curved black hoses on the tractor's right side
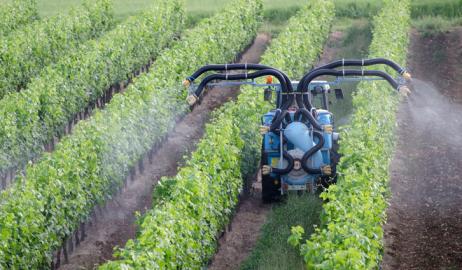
<point>306,80</point>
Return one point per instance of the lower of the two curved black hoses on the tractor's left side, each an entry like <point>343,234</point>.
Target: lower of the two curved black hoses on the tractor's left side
<point>254,75</point>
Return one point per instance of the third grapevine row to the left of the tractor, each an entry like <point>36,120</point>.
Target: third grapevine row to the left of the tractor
<point>33,117</point>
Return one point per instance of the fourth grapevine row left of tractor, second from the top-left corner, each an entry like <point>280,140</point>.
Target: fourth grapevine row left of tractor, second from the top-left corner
<point>24,53</point>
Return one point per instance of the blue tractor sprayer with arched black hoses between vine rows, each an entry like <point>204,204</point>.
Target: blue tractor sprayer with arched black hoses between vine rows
<point>300,142</point>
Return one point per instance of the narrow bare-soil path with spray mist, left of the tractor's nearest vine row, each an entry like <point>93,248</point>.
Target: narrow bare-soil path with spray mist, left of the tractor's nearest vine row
<point>116,225</point>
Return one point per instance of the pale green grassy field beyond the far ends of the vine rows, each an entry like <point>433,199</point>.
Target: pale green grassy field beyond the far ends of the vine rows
<point>429,16</point>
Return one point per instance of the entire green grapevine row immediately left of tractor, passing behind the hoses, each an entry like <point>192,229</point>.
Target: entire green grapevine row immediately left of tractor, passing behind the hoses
<point>189,210</point>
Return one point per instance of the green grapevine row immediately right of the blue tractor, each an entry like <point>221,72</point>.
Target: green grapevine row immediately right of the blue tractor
<point>351,235</point>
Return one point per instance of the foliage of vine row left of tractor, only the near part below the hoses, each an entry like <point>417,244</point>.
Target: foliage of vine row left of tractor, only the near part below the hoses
<point>180,231</point>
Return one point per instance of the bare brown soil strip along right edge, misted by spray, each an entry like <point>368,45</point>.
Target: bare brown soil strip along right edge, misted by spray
<point>424,228</point>
